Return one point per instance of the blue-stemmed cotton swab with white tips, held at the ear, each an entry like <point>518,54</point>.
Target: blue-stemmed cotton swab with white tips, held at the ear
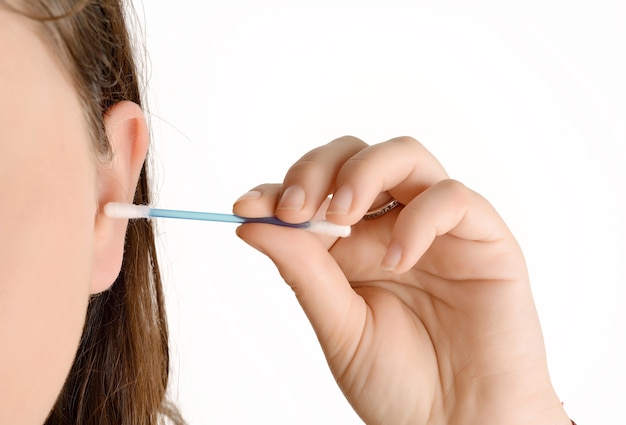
<point>122,210</point>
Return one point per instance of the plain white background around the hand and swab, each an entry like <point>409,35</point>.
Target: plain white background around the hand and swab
<point>522,101</point>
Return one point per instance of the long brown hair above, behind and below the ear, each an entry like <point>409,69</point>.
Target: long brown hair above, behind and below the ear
<point>120,373</point>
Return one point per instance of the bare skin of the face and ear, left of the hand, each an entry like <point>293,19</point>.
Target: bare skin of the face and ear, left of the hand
<point>56,248</point>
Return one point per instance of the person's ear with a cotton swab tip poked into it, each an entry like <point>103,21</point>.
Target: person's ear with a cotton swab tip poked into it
<point>117,179</point>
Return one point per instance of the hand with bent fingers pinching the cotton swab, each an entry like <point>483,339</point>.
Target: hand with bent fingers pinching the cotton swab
<point>425,314</point>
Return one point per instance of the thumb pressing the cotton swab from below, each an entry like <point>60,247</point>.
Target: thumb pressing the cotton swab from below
<point>335,311</point>
